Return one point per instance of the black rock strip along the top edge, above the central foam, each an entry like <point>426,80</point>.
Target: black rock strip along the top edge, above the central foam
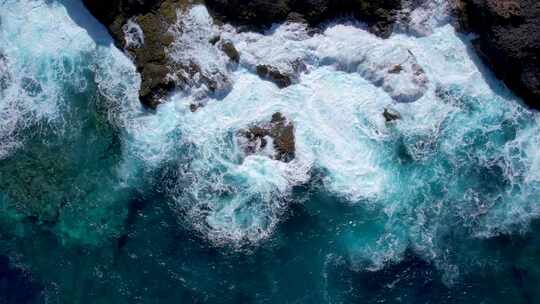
<point>380,15</point>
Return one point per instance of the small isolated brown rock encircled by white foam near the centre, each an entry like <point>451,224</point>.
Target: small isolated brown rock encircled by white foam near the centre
<point>279,130</point>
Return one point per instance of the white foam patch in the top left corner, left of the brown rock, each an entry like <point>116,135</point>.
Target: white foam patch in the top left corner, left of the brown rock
<point>37,59</point>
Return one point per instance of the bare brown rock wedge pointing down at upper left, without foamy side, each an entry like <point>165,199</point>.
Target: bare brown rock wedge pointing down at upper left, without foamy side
<point>154,17</point>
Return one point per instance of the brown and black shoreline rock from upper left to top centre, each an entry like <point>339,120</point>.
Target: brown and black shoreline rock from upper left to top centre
<point>142,29</point>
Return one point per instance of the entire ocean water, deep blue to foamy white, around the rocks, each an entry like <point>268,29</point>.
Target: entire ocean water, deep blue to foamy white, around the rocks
<point>103,201</point>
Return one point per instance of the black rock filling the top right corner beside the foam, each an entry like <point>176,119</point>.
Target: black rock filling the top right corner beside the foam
<point>508,41</point>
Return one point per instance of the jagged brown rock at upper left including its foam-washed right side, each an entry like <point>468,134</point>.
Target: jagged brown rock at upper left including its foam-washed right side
<point>153,33</point>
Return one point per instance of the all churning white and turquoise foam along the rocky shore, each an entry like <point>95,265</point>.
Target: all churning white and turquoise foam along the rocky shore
<point>464,150</point>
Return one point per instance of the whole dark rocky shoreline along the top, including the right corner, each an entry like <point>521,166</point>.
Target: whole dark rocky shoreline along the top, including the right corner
<point>508,39</point>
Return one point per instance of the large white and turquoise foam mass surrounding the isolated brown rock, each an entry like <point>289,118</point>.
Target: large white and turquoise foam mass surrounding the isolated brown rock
<point>408,168</point>
